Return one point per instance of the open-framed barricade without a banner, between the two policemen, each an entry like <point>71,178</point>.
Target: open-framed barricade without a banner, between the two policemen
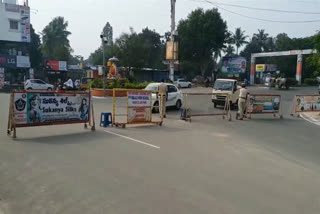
<point>193,106</point>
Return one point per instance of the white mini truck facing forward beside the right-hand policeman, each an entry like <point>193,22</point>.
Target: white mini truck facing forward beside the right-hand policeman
<point>225,86</point>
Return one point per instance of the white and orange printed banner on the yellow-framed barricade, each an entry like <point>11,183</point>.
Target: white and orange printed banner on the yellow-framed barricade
<point>139,106</point>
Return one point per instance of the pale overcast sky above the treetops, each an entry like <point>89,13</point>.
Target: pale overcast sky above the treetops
<point>87,17</point>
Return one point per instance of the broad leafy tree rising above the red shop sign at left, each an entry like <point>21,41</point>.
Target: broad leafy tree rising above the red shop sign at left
<point>56,45</point>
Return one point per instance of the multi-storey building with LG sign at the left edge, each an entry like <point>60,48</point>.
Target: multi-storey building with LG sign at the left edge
<point>14,42</point>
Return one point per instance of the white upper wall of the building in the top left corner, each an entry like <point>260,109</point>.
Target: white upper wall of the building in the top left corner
<point>6,33</point>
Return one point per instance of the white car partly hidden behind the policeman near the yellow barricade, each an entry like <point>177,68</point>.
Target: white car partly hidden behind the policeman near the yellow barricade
<point>175,97</point>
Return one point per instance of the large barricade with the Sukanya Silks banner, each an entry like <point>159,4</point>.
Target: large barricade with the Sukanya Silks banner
<point>42,108</point>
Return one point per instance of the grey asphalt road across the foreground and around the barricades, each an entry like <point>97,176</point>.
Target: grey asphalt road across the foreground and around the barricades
<point>265,165</point>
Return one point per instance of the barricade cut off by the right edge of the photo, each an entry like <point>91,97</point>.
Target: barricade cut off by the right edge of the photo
<point>305,103</point>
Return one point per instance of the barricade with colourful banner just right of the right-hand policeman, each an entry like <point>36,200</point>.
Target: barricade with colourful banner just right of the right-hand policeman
<point>264,104</point>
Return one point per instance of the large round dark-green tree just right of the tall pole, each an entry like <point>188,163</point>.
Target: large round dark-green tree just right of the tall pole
<point>200,35</point>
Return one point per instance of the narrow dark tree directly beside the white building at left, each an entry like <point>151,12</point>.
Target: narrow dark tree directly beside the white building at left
<point>35,49</point>
